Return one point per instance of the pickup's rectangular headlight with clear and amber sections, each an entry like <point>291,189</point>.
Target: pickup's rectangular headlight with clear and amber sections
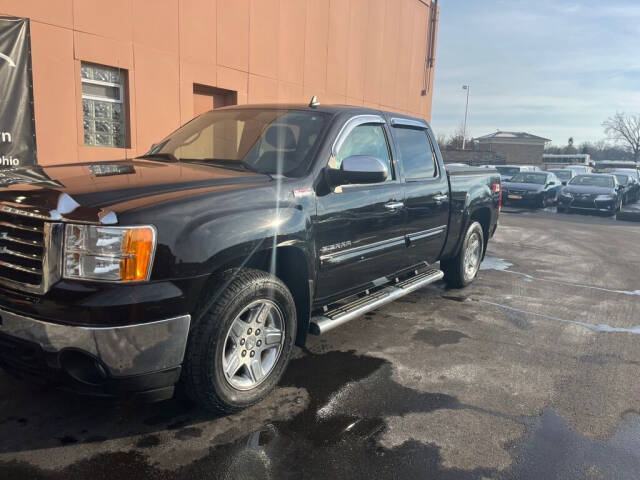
<point>111,254</point>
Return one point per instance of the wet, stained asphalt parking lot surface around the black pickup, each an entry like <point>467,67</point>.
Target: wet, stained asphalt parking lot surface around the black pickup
<point>531,372</point>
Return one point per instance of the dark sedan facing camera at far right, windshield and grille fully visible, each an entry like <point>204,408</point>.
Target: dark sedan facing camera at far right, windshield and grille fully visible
<point>597,191</point>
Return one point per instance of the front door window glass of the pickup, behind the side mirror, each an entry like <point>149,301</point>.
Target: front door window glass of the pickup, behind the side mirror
<point>368,139</point>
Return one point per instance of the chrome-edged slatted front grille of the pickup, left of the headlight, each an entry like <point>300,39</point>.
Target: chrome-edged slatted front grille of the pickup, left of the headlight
<point>29,249</point>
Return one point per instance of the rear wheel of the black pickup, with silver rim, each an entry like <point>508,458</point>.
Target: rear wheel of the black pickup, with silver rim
<point>462,269</point>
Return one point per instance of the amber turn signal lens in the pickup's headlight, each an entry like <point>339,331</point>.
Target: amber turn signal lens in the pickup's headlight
<point>137,246</point>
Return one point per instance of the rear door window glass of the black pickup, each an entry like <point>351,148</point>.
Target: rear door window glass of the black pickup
<point>415,153</point>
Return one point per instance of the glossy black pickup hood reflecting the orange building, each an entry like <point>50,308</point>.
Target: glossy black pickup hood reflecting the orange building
<point>95,192</point>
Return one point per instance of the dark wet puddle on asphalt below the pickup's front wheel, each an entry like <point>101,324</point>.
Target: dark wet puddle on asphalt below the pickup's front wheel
<point>336,436</point>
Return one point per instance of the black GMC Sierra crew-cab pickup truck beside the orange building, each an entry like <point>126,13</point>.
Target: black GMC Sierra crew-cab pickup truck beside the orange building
<point>203,262</point>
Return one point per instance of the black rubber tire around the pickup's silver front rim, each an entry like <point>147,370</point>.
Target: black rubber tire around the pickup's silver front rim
<point>203,379</point>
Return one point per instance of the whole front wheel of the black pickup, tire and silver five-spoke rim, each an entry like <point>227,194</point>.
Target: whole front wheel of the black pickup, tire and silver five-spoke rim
<point>239,349</point>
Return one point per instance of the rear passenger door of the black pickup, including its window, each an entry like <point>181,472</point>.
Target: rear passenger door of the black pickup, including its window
<point>426,190</point>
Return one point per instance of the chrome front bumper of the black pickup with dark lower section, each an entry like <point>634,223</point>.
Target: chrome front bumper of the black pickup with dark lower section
<point>140,358</point>
